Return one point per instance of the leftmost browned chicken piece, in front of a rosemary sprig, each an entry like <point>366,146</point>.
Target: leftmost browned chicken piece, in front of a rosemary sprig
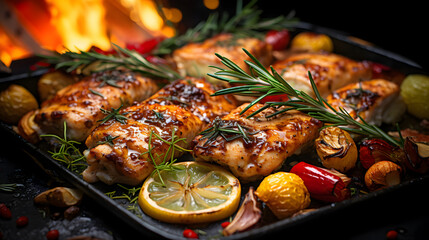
<point>80,104</point>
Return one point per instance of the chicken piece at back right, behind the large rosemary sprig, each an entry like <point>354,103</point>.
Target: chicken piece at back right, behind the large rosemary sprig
<point>329,71</point>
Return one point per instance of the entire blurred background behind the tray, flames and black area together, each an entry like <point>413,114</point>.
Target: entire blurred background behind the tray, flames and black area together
<point>33,26</point>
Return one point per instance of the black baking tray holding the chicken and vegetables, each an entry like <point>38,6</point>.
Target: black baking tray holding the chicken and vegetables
<point>135,218</point>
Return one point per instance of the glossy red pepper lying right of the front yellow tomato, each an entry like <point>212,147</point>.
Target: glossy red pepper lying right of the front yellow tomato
<point>322,184</point>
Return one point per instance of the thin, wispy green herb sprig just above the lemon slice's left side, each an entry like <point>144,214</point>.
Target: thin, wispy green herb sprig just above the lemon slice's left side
<point>166,164</point>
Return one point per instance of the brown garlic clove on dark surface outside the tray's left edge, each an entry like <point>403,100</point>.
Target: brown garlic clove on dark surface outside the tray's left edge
<point>59,197</point>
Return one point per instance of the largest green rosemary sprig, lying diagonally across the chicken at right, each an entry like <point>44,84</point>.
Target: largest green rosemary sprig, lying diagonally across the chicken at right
<point>262,83</point>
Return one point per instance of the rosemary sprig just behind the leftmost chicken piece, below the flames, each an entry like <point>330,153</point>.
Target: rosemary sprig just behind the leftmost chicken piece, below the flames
<point>97,62</point>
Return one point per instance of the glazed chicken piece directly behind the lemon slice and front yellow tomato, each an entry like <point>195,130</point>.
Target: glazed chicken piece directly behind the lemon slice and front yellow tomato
<point>259,145</point>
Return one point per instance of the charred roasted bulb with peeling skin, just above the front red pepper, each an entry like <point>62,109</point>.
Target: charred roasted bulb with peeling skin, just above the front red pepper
<point>336,149</point>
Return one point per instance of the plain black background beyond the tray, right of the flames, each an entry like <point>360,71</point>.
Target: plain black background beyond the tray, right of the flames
<point>400,28</point>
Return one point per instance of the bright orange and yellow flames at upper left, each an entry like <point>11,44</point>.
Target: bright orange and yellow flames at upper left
<point>81,24</point>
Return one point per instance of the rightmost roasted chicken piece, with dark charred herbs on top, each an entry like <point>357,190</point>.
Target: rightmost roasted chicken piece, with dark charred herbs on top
<point>376,101</point>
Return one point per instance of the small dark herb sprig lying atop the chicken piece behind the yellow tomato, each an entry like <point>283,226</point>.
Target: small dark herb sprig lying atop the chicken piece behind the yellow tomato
<point>227,130</point>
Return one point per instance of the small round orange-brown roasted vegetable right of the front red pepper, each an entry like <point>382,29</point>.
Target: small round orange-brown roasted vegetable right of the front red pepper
<point>382,174</point>
